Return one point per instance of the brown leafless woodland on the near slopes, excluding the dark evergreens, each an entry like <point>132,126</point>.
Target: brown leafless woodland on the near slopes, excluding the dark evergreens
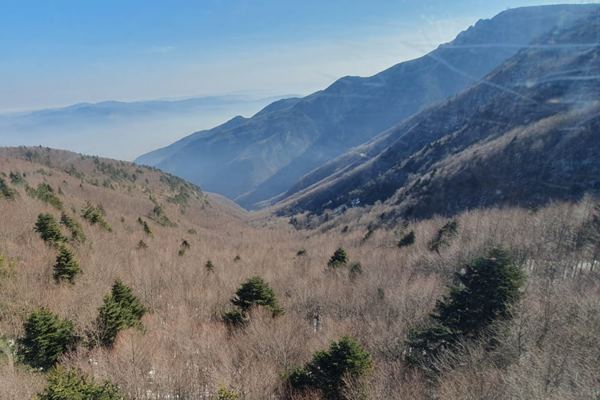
<point>185,348</point>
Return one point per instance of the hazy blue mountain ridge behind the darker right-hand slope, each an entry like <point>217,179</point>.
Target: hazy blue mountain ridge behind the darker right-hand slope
<point>256,159</point>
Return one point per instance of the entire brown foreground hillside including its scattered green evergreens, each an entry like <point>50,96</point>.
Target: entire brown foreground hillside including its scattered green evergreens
<point>125,275</point>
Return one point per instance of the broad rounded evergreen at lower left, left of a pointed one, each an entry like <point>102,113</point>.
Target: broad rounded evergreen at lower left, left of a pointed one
<point>47,337</point>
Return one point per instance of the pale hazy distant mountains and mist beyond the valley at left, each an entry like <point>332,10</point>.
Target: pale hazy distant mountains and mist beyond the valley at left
<point>119,129</point>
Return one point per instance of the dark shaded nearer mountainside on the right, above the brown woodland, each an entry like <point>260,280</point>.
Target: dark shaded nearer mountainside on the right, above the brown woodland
<point>528,134</point>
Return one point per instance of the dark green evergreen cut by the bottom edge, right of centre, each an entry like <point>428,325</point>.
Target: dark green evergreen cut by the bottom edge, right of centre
<point>329,371</point>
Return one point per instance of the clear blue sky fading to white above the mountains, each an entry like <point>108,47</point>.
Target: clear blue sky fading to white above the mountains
<point>61,52</point>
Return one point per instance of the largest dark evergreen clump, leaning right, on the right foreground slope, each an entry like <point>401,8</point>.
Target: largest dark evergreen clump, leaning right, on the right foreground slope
<point>484,293</point>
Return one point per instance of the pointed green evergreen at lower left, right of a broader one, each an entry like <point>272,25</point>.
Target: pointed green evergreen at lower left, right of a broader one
<point>121,310</point>
